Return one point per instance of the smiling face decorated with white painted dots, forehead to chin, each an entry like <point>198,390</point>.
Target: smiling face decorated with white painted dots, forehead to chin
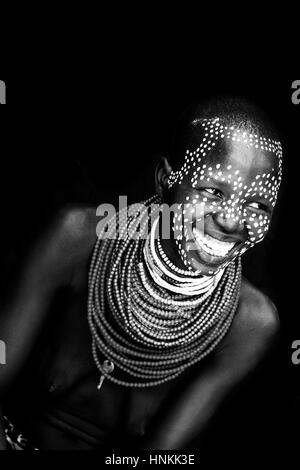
<point>227,187</point>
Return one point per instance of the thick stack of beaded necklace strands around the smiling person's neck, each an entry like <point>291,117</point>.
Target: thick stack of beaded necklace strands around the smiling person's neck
<point>140,325</point>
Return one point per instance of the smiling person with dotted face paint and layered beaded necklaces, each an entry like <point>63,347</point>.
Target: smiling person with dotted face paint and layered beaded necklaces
<point>135,331</point>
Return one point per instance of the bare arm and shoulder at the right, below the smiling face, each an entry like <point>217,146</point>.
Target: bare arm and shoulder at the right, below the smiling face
<point>244,347</point>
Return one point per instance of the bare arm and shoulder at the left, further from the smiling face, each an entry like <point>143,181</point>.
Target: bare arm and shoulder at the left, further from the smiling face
<point>48,268</point>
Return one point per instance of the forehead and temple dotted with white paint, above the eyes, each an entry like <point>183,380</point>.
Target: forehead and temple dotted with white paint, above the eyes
<point>229,149</point>
